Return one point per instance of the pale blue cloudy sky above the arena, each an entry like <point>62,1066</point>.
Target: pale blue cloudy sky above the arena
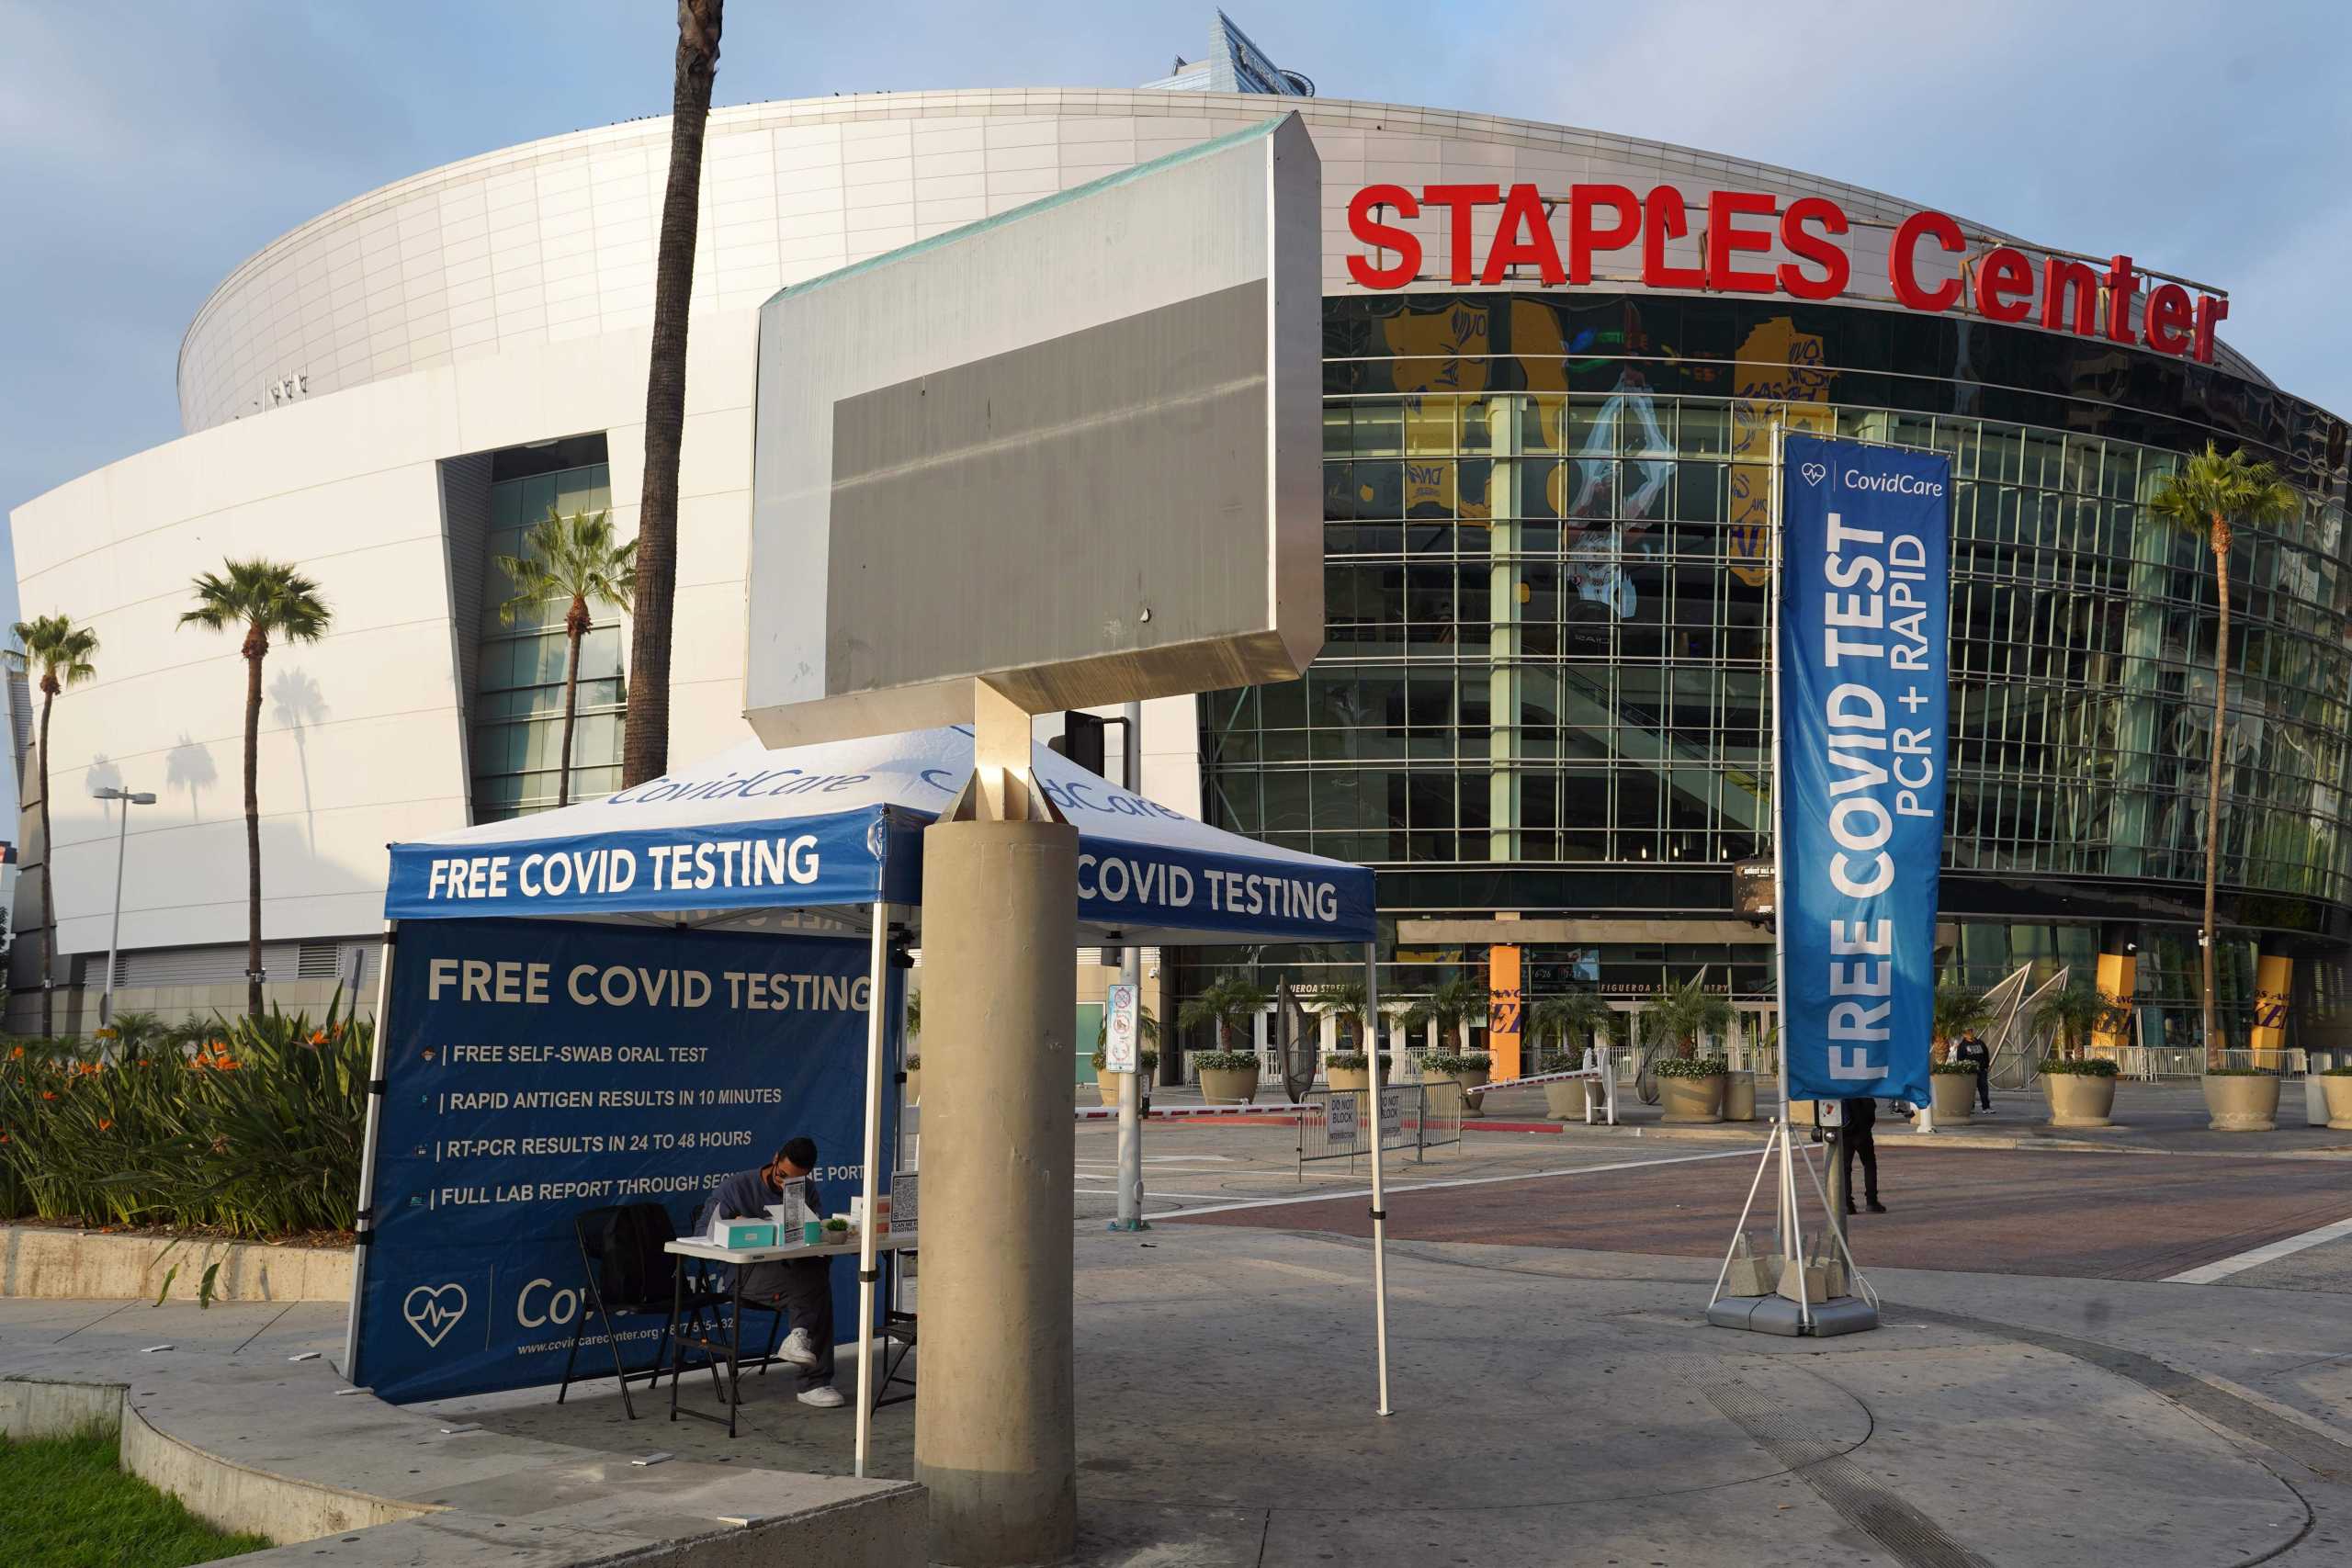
<point>149,149</point>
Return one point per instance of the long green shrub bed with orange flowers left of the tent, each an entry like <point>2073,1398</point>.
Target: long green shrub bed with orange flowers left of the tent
<point>253,1132</point>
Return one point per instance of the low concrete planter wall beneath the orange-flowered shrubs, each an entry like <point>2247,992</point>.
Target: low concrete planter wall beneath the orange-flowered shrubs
<point>79,1266</point>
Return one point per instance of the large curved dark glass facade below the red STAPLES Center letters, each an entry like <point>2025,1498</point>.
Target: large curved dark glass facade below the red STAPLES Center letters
<point>1544,674</point>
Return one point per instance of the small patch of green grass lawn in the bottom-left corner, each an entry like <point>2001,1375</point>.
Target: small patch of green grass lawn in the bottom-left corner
<point>69,1506</point>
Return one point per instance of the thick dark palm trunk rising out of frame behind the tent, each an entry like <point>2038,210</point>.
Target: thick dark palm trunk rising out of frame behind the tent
<point>646,739</point>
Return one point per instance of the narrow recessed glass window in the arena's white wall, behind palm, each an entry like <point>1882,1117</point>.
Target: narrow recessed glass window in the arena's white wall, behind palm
<point>519,711</point>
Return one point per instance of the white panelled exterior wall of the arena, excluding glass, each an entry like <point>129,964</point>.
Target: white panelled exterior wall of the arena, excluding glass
<point>507,300</point>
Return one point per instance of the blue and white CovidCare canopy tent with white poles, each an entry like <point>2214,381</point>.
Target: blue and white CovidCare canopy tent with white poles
<point>829,838</point>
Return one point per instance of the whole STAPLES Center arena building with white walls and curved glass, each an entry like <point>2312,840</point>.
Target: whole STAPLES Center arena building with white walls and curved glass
<point>1553,361</point>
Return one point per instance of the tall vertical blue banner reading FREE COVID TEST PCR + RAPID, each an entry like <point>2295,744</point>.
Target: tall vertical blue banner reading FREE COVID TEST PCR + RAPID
<point>1864,730</point>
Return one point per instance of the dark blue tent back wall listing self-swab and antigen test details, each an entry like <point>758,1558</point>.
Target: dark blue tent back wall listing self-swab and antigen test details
<point>544,1068</point>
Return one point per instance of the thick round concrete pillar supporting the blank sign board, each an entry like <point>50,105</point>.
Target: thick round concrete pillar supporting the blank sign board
<point>996,1430</point>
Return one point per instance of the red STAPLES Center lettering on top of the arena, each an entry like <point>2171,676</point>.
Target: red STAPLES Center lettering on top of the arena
<point>1561,239</point>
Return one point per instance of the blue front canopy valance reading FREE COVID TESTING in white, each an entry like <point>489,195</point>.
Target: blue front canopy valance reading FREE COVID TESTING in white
<point>704,866</point>
